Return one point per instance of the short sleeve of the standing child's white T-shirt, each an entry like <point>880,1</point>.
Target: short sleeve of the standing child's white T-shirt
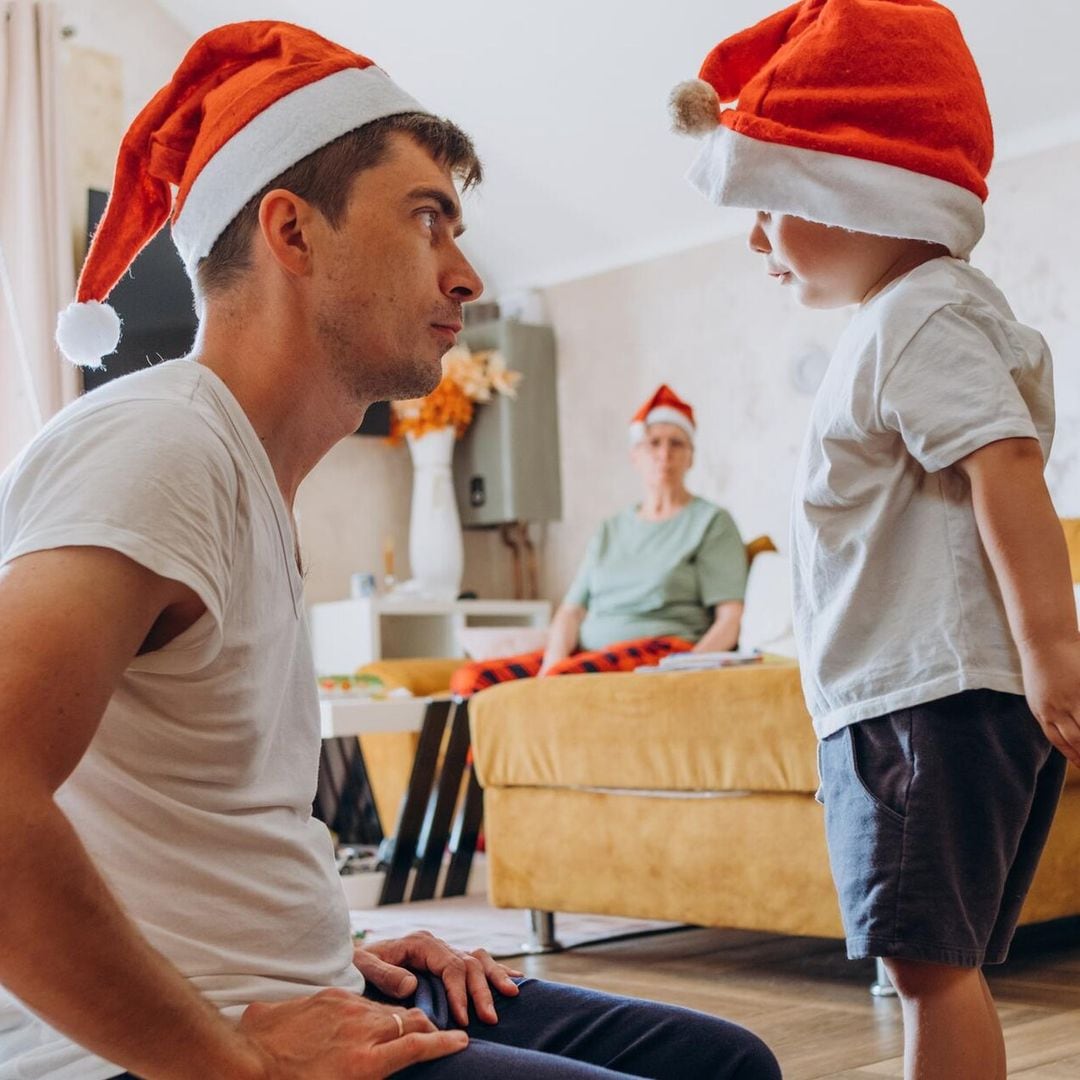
<point>953,390</point>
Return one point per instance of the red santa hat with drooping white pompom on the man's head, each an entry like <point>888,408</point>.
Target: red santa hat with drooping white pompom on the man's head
<point>249,101</point>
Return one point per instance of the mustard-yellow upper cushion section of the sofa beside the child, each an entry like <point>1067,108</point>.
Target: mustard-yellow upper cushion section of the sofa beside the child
<point>734,730</point>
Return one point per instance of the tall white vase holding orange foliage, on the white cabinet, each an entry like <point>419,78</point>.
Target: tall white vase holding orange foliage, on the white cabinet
<point>436,550</point>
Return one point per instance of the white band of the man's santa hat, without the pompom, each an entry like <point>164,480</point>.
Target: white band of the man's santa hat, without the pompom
<point>280,137</point>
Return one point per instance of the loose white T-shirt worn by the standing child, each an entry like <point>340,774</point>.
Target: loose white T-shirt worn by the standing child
<point>896,601</point>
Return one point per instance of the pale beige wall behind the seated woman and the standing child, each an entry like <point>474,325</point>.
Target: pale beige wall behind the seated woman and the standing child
<point>710,323</point>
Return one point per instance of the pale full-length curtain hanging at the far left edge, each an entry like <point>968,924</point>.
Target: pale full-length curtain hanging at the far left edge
<point>36,249</point>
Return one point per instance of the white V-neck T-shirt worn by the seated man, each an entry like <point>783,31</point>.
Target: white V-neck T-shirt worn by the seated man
<point>195,796</point>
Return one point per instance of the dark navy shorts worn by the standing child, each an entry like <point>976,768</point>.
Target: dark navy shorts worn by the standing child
<point>936,819</point>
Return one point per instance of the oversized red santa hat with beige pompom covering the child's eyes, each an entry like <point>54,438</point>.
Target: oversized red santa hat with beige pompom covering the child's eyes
<point>863,114</point>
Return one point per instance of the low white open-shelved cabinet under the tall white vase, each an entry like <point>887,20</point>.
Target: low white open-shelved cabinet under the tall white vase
<point>348,634</point>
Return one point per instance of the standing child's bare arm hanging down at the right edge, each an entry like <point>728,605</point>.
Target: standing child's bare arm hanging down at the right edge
<point>1024,541</point>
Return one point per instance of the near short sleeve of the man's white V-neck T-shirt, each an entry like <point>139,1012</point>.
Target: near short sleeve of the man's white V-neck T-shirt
<point>147,479</point>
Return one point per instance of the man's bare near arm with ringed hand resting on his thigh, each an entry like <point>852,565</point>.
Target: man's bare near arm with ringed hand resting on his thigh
<point>71,622</point>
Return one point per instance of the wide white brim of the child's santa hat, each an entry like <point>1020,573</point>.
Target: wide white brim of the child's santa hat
<point>735,170</point>
